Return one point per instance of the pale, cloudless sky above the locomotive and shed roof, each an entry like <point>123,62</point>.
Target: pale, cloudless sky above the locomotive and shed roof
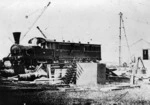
<point>94,21</point>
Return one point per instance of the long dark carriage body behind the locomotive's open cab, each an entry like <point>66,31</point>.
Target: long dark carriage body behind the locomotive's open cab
<point>66,51</point>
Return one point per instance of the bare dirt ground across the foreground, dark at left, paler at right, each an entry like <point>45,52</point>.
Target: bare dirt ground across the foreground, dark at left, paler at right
<point>80,96</point>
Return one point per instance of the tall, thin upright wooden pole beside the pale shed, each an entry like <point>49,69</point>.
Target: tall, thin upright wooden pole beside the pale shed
<point>120,39</point>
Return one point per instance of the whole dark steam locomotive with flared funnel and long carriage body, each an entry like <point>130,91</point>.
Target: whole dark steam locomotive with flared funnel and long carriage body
<point>41,50</point>
